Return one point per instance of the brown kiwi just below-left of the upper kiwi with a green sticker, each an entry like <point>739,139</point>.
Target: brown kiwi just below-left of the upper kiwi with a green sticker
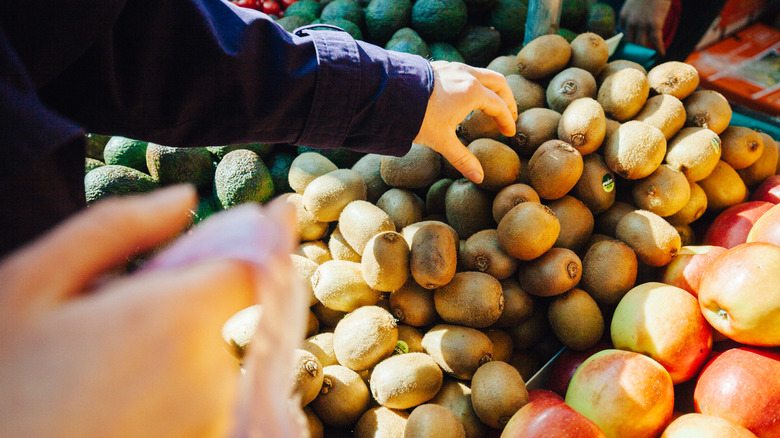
<point>577,222</point>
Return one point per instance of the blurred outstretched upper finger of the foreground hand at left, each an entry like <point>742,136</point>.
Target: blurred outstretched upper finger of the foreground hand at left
<point>94,241</point>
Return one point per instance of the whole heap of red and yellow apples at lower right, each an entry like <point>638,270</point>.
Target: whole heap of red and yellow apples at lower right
<point>694,354</point>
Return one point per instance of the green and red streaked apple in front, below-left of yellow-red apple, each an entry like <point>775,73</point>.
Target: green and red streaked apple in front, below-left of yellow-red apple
<point>626,394</point>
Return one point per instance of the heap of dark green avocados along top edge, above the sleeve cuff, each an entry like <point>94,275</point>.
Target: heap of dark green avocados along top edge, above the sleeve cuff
<point>470,31</point>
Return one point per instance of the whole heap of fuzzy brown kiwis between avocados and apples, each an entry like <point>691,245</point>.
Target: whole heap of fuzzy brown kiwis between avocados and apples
<point>434,299</point>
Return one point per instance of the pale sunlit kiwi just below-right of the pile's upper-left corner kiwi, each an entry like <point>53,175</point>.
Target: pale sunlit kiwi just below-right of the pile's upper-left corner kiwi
<point>328,194</point>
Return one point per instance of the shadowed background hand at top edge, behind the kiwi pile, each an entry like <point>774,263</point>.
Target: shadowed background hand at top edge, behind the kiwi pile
<point>643,22</point>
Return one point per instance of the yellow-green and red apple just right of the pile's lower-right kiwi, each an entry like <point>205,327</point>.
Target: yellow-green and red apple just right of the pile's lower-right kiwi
<point>665,323</point>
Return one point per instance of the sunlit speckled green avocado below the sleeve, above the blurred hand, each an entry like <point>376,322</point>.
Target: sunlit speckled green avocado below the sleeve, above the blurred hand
<point>242,177</point>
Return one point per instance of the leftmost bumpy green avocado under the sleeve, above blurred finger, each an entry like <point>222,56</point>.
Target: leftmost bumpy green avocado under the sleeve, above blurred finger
<point>115,179</point>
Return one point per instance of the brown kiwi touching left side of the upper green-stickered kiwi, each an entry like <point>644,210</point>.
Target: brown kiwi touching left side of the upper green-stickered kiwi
<point>554,169</point>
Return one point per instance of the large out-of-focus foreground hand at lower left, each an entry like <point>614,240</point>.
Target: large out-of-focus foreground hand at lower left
<point>85,353</point>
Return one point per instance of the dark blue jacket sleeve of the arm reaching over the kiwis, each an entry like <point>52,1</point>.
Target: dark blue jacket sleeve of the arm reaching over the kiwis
<point>205,72</point>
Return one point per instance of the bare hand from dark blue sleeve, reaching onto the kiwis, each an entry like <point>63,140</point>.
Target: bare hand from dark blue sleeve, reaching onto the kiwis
<point>459,89</point>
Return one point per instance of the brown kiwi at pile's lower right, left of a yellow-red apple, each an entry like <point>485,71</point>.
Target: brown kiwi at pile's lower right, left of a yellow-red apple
<point>576,320</point>
